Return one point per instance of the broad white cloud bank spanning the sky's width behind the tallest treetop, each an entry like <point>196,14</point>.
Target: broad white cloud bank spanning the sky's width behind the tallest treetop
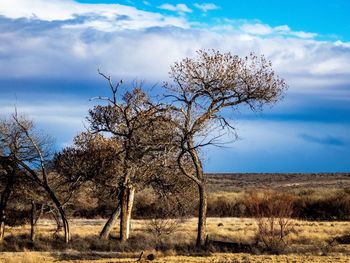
<point>145,44</point>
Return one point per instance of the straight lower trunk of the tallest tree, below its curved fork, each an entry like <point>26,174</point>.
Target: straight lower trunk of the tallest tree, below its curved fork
<point>202,215</point>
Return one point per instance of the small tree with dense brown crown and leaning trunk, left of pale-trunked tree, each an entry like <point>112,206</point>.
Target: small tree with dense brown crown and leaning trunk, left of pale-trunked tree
<point>93,160</point>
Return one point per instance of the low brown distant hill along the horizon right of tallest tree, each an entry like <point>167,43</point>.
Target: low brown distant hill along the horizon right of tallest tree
<point>233,182</point>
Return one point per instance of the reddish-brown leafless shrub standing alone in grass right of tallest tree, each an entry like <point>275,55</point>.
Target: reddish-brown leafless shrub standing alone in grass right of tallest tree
<point>272,211</point>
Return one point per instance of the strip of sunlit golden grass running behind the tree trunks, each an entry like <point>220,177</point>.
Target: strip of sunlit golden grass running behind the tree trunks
<point>238,229</point>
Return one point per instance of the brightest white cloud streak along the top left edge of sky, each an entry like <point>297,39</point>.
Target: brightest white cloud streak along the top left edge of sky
<point>108,17</point>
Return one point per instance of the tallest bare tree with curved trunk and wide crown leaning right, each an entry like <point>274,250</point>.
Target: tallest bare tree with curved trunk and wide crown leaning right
<point>202,88</point>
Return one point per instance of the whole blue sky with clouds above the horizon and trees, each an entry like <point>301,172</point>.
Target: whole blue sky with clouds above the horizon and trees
<point>50,51</point>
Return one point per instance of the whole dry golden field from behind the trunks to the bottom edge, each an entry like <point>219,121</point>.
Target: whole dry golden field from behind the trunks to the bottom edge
<point>307,243</point>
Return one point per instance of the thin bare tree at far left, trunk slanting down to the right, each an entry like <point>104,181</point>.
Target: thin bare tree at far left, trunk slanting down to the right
<point>31,152</point>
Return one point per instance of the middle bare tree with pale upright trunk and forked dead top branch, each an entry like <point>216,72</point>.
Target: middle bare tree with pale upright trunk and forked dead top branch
<point>131,118</point>
